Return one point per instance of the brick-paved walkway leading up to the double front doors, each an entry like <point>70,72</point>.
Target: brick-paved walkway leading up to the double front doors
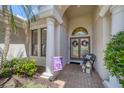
<point>72,77</point>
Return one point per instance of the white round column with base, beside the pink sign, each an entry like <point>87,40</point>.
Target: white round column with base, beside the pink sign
<point>50,52</point>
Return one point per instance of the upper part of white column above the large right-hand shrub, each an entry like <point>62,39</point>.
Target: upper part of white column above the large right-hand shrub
<point>117,19</point>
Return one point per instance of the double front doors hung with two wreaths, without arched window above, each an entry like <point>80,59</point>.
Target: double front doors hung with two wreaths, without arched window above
<point>78,47</point>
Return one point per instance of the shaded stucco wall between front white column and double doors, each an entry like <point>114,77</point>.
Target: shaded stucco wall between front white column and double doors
<point>61,40</point>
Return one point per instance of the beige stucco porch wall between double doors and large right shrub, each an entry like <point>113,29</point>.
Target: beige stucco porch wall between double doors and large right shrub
<point>101,35</point>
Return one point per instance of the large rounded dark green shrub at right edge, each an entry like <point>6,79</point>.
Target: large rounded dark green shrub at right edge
<point>114,56</point>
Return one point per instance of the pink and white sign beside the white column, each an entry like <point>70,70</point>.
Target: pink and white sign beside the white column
<point>57,63</point>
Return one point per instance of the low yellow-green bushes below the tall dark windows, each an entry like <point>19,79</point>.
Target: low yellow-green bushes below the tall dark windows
<point>22,67</point>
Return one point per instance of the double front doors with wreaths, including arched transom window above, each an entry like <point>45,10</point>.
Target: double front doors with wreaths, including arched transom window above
<point>79,43</point>
